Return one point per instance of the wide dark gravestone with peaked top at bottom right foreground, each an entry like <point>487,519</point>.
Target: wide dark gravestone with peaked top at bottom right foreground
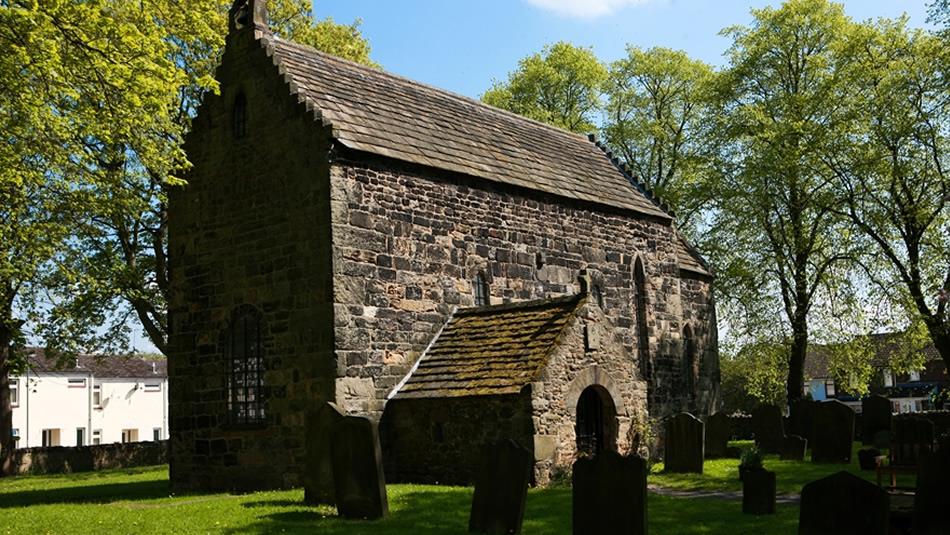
<point>843,504</point>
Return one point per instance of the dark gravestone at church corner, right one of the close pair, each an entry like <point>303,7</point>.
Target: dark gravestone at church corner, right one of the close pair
<point>360,489</point>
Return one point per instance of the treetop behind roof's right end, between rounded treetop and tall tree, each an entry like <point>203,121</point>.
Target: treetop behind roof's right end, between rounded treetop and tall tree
<point>656,111</point>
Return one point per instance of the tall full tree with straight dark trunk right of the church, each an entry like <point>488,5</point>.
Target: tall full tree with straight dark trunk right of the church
<point>774,233</point>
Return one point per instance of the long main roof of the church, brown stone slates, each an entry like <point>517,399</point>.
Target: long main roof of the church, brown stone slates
<point>372,111</point>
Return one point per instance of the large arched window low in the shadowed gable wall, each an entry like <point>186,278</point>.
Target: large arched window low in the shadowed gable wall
<point>246,367</point>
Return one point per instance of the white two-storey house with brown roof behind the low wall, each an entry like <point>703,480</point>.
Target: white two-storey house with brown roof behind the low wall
<point>95,400</point>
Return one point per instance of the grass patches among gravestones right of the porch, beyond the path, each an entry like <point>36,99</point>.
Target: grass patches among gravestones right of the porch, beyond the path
<point>790,476</point>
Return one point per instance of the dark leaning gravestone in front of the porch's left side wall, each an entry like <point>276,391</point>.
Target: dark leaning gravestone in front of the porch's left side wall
<point>501,488</point>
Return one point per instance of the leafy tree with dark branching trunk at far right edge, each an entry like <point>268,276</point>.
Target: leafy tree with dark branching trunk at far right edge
<point>891,167</point>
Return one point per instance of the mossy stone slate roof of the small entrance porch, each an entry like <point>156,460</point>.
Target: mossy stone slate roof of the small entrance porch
<point>493,350</point>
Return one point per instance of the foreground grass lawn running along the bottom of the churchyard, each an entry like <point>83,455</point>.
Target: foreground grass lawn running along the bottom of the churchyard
<point>137,501</point>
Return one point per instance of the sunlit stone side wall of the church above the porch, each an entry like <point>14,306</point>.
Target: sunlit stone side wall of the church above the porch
<point>409,242</point>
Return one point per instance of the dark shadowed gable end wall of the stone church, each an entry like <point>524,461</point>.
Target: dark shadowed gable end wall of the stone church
<point>251,228</point>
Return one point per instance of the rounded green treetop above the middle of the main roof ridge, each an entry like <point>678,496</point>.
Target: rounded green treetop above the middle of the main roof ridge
<point>559,86</point>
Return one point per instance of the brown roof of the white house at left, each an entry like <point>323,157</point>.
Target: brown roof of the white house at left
<point>102,366</point>
